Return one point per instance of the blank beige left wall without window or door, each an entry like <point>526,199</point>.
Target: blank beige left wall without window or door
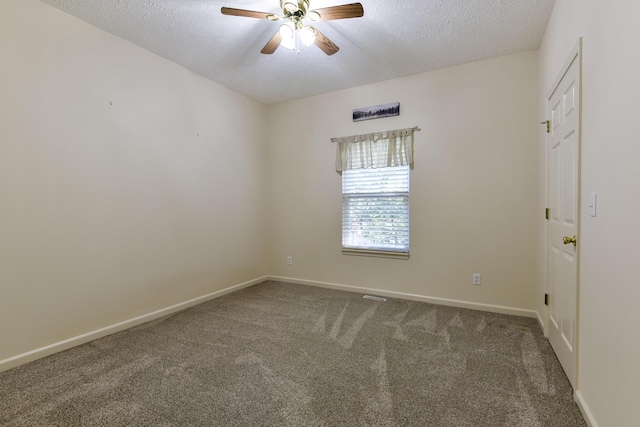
<point>127,183</point>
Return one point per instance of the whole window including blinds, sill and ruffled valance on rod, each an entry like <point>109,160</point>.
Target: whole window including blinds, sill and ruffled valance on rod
<point>375,192</point>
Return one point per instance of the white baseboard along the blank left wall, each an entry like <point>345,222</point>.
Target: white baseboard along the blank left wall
<point>48,350</point>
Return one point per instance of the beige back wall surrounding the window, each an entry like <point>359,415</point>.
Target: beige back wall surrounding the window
<point>473,188</point>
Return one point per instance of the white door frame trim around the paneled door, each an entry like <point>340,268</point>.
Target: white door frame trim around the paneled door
<point>575,56</point>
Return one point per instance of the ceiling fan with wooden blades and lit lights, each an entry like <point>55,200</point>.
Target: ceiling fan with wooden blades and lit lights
<point>294,31</point>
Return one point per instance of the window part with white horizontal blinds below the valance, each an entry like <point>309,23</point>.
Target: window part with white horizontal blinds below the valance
<point>375,211</point>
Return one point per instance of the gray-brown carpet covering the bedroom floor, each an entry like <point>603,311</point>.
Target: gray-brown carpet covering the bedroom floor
<point>278,354</point>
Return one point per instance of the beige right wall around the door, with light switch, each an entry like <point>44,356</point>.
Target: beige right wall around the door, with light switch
<point>609,342</point>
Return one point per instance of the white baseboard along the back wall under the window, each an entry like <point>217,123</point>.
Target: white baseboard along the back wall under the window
<point>433,300</point>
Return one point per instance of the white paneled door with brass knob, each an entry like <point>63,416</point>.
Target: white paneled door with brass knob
<point>562,229</point>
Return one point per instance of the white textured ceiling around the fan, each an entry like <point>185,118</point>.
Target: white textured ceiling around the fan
<point>393,39</point>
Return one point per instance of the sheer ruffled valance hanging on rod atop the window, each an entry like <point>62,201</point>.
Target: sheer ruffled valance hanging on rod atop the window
<point>375,150</point>
